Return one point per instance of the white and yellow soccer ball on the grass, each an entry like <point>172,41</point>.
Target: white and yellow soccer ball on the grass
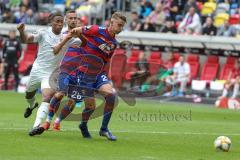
<point>222,143</point>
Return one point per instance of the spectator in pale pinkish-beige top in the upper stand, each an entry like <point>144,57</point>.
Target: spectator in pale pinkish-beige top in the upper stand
<point>157,17</point>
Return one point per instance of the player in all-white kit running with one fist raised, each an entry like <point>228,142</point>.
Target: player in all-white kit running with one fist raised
<point>46,62</point>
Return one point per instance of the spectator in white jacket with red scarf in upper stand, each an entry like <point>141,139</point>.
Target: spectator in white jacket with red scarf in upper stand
<point>191,21</point>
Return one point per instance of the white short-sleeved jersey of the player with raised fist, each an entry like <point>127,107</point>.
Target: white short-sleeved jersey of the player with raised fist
<point>46,61</point>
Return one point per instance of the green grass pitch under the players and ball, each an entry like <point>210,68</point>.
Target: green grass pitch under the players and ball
<point>186,132</point>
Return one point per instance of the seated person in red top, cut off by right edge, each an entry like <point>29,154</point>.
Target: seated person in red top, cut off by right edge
<point>233,81</point>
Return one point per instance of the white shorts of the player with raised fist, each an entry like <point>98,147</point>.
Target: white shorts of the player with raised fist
<point>38,79</point>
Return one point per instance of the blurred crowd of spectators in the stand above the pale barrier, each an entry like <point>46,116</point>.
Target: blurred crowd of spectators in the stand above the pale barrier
<point>191,17</point>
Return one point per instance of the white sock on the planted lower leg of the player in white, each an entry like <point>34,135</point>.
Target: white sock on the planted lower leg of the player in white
<point>41,114</point>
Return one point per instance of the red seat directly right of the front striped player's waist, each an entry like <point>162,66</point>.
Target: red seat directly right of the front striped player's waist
<point>118,63</point>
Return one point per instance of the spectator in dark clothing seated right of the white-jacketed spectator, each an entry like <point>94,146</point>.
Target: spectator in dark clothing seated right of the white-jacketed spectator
<point>209,28</point>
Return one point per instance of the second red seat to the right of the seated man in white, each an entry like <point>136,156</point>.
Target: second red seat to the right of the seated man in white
<point>209,71</point>
